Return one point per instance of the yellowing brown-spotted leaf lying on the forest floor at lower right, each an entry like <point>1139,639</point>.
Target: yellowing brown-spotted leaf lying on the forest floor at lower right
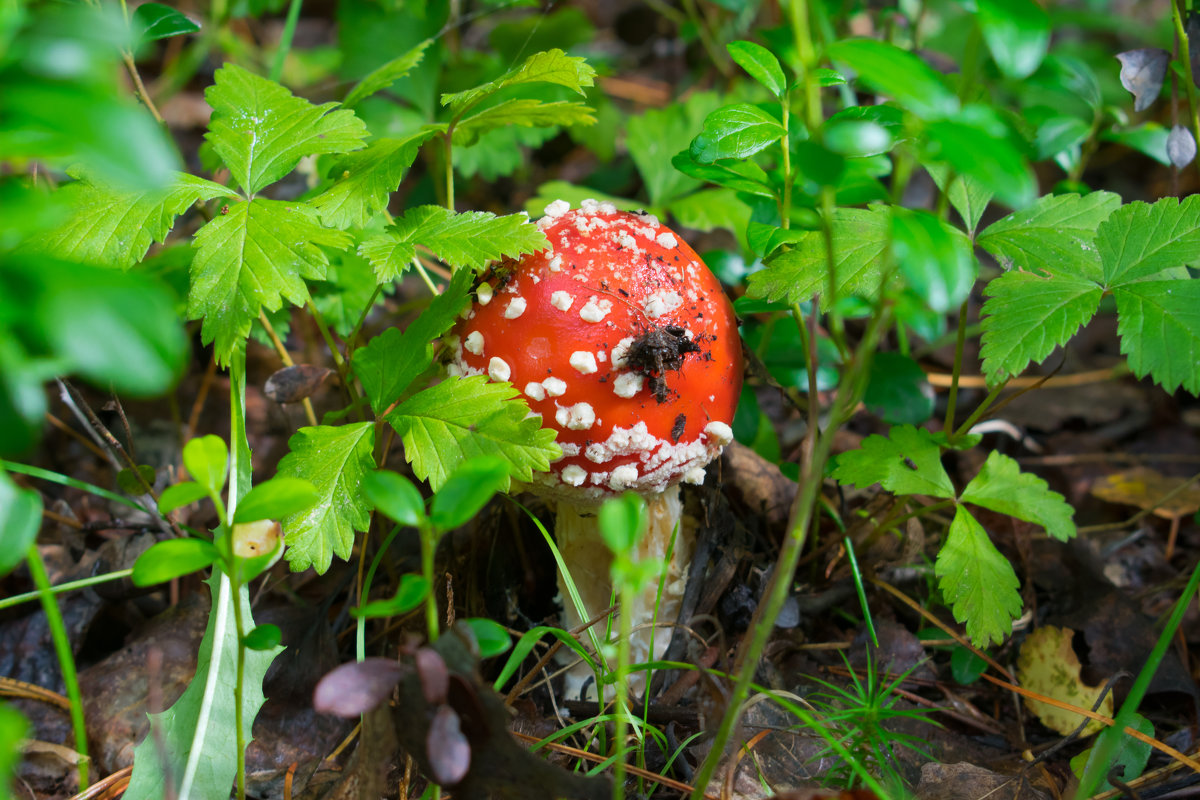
<point>1048,665</point>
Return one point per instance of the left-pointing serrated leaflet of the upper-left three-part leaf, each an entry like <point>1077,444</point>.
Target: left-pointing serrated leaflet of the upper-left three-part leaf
<point>115,227</point>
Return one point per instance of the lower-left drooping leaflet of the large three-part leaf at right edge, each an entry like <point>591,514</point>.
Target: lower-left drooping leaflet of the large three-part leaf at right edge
<point>1028,316</point>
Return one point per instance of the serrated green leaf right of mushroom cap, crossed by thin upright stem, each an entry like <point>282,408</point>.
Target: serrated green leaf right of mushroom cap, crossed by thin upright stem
<point>861,240</point>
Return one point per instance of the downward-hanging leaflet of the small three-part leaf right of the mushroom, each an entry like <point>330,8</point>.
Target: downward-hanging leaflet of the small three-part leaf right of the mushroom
<point>977,581</point>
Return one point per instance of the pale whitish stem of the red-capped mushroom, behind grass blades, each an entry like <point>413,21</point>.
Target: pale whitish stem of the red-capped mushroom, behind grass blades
<point>590,562</point>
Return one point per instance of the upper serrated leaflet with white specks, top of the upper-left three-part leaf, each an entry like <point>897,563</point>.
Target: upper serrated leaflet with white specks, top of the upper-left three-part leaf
<point>262,131</point>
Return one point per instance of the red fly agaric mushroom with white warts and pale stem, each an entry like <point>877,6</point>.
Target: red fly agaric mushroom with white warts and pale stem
<point>626,345</point>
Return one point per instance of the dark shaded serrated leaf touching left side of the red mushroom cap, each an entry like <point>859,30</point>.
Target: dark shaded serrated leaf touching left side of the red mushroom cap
<point>393,360</point>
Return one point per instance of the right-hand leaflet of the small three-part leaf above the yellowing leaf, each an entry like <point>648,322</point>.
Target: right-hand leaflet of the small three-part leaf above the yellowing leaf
<point>1003,488</point>
